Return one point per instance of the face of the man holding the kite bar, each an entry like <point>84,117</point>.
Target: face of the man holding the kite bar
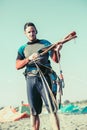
<point>30,32</point>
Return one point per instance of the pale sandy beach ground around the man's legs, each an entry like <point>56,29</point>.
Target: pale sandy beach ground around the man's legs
<point>67,122</point>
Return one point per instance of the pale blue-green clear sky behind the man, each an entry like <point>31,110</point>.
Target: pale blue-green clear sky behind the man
<point>54,20</point>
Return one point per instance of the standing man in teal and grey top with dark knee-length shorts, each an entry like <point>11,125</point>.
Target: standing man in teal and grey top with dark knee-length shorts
<point>37,73</point>
